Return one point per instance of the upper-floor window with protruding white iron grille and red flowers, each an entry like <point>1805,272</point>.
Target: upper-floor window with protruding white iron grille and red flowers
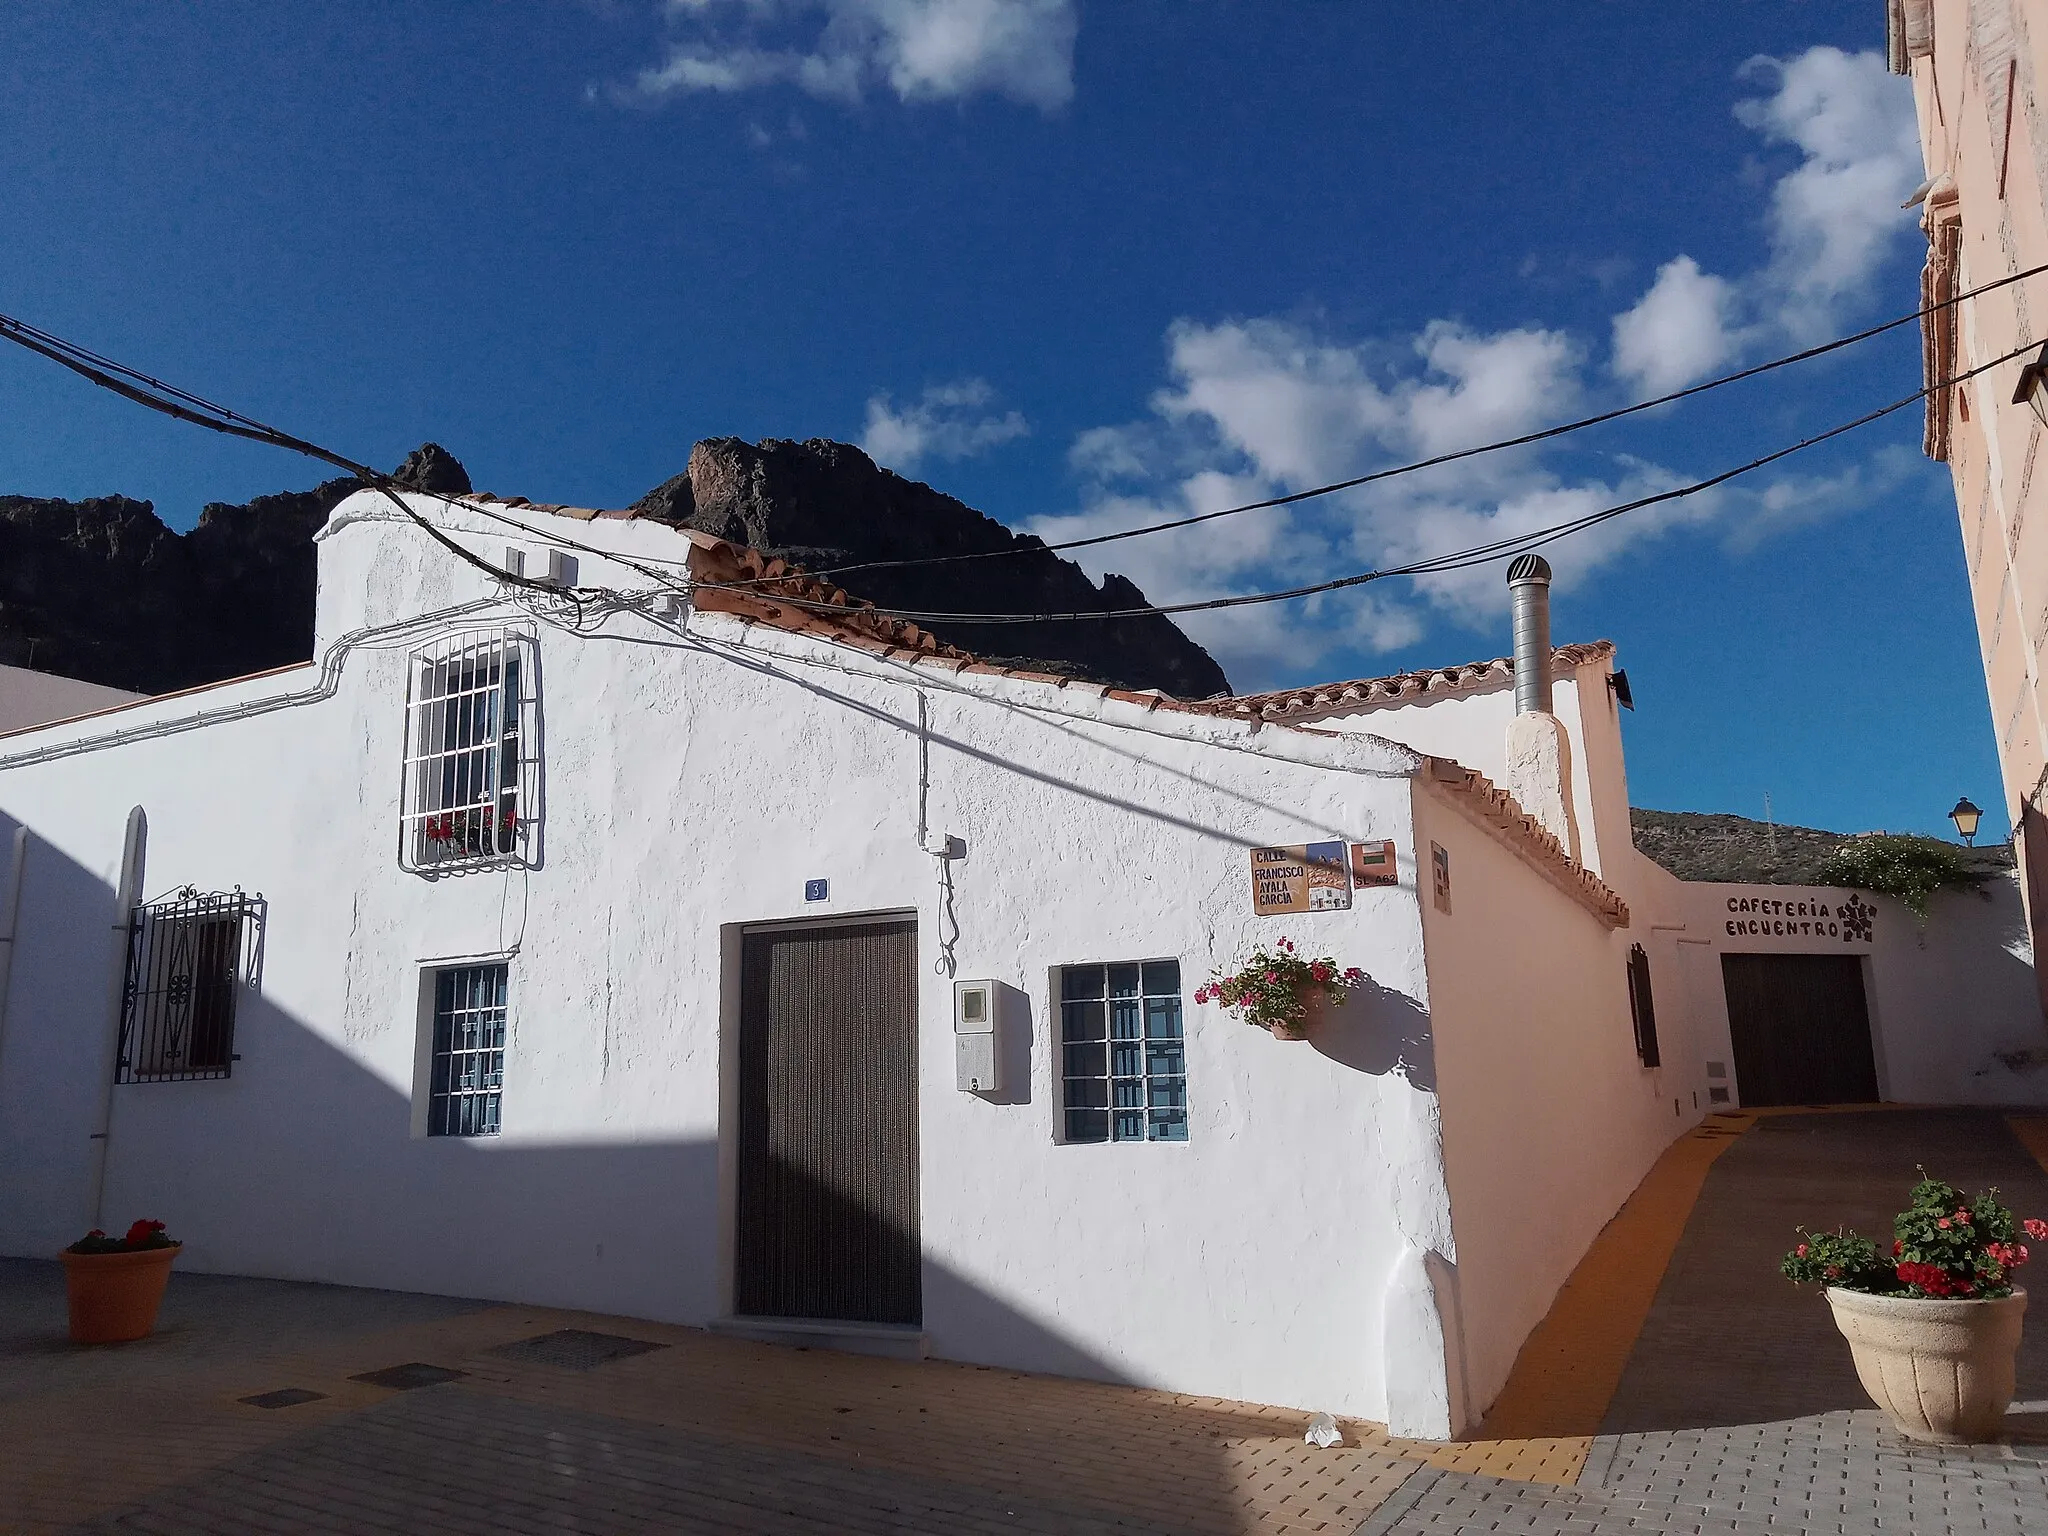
<point>470,753</point>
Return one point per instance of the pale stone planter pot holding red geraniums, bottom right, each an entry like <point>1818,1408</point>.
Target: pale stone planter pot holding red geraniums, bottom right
<point>1940,1369</point>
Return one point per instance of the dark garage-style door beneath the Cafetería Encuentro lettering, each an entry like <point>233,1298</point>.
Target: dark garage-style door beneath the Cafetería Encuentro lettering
<point>1801,1029</point>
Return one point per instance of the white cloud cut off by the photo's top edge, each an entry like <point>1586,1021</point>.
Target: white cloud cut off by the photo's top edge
<point>837,50</point>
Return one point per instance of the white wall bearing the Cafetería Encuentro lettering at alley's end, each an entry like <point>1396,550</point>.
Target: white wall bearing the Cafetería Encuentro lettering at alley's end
<point>1955,1013</point>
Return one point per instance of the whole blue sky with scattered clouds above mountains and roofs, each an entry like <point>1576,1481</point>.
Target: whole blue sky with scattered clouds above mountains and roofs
<point>1078,263</point>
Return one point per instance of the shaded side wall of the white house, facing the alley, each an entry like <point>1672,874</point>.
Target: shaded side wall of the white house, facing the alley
<point>1549,1117</point>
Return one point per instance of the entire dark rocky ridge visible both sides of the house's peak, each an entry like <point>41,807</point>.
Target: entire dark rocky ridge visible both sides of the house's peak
<point>103,591</point>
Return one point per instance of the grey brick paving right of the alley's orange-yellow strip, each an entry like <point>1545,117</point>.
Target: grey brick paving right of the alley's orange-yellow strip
<point>1738,1408</point>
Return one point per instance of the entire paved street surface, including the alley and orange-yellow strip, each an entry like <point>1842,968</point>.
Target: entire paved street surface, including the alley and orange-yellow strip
<point>1680,1385</point>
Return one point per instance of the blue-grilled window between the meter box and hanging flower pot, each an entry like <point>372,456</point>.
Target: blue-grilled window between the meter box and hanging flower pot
<point>1123,1060</point>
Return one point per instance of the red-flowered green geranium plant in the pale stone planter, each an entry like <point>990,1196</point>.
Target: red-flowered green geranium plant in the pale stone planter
<point>1943,1246</point>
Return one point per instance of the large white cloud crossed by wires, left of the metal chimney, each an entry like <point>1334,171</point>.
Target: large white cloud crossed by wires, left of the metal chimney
<point>1261,409</point>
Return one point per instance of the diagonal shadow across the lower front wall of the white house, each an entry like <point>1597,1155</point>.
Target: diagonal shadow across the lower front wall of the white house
<point>304,1164</point>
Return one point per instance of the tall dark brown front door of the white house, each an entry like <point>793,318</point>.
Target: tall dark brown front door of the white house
<point>828,1125</point>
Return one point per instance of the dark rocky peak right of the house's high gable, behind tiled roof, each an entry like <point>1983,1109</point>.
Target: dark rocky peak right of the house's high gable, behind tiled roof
<point>826,505</point>
